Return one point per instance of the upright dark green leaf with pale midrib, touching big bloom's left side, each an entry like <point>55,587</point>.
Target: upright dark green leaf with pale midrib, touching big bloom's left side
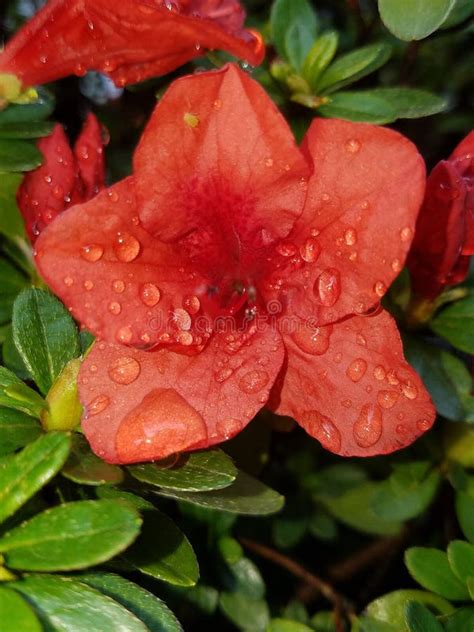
<point>45,335</point>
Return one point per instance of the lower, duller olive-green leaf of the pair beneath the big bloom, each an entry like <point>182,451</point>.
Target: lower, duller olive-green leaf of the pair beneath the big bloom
<point>246,495</point>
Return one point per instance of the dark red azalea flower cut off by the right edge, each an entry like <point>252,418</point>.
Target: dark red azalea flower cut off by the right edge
<point>444,238</point>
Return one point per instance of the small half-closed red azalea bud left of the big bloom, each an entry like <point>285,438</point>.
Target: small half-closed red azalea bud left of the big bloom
<point>66,177</point>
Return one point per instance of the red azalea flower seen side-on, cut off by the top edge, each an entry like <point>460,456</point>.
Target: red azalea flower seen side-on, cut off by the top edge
<point>130,40</point>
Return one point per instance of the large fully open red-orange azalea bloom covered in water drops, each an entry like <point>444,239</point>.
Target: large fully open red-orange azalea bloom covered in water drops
<point>238,278</point>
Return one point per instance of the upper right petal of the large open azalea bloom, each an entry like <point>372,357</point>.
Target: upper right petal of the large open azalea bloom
<point>358,222</point>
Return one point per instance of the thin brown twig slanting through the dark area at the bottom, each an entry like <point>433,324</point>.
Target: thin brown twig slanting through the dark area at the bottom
<point>341,605</point>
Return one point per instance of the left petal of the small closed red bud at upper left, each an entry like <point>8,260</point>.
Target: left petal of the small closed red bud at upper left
<point>44,191</point>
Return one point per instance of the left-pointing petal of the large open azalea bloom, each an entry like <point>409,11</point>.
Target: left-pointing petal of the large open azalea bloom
<point>118,280</point>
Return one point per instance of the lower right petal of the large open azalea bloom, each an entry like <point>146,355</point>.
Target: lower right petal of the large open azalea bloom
<point>349,386</point>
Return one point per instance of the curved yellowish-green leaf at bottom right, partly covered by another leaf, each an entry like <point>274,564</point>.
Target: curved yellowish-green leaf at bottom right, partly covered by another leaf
<point>391,607</point>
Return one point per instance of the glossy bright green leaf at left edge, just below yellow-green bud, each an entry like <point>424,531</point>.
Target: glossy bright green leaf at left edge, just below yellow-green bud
<point>24,474</point>
